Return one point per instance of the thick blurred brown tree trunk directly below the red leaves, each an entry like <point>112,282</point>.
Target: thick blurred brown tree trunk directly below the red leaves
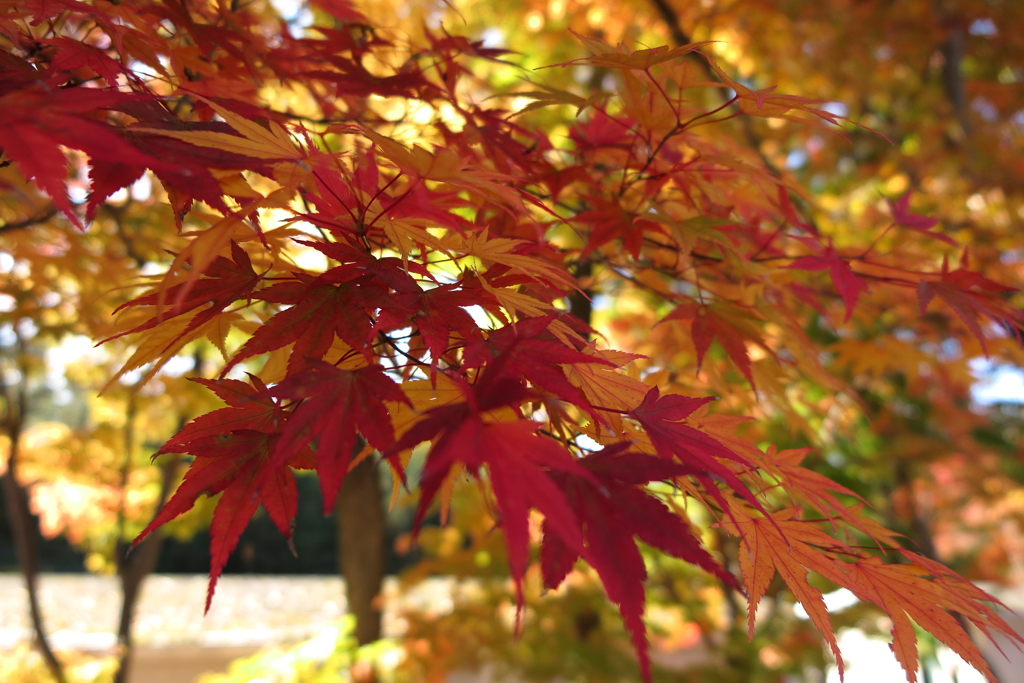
<point>362,536</point>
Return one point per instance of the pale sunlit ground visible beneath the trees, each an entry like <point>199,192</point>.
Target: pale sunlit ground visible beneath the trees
<point>177,643</point>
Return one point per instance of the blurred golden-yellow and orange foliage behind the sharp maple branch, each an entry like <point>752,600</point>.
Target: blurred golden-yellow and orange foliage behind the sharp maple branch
<point>936,87</point>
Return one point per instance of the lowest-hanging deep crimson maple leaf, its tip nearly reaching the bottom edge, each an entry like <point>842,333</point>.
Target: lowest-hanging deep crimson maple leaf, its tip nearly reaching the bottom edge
<point>614,508</point>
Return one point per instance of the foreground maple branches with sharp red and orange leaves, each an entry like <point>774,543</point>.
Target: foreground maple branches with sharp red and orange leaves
<point>385,258</point>
